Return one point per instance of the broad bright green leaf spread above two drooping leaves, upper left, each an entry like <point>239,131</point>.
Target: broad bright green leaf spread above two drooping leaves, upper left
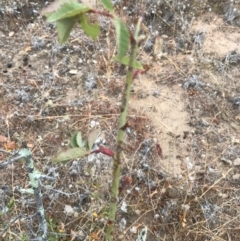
<point>67,10</point>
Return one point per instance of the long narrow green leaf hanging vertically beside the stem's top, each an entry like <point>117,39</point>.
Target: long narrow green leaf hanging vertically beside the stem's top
<point>122,38</point>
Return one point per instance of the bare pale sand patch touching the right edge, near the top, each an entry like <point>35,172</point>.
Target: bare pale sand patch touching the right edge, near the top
<point>219,38</point>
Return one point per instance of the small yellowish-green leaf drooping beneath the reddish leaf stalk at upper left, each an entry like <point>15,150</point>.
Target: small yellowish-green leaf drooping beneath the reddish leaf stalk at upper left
<point>92,30</point>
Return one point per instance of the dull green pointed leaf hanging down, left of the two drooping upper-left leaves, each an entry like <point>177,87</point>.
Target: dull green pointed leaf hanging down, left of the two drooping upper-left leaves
<point>64,27</point>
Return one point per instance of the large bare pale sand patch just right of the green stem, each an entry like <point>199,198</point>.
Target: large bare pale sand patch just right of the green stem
<point>166,112</point>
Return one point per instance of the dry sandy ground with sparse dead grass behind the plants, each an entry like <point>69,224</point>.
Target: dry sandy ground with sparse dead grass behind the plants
<point>188,103</point>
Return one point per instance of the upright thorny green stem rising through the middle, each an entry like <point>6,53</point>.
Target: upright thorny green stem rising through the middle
<point>120,136</point>
